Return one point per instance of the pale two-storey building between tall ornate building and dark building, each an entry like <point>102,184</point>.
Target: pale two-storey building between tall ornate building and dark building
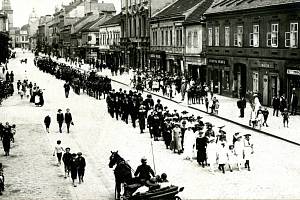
<point>176,38</point>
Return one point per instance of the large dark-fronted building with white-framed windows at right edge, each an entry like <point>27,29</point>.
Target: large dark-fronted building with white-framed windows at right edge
<point>252,46</point>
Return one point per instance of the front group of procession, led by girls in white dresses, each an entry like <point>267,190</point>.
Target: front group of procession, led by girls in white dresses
<point>182,133</point>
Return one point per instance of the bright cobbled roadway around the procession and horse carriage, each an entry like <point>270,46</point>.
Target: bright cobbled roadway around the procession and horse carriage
<point>275,166</point>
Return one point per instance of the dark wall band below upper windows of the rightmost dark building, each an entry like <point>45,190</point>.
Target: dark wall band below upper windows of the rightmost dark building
<point>265,52</point>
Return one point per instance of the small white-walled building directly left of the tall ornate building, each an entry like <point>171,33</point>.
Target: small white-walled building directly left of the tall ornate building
<point>109,42</point>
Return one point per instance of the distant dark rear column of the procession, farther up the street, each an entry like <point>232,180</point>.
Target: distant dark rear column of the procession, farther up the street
<point>90,83</point>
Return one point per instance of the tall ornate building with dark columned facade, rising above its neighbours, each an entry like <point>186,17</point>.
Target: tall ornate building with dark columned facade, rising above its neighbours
<point>135,31</point>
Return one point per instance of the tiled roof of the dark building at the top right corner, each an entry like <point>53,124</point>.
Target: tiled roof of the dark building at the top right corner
<point>220,6</point>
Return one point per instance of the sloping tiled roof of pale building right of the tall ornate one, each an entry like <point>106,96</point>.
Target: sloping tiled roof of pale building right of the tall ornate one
<point>178,8</point>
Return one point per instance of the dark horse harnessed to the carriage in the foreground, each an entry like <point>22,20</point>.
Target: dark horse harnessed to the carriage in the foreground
<point>122,171</point>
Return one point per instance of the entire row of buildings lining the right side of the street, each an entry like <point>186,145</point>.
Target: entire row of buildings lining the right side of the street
<point>237,47</point>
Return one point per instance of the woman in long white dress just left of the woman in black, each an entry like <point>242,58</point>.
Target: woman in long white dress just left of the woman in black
<point>189,143</point>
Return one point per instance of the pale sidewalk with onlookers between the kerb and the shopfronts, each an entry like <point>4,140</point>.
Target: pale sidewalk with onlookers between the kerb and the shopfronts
<point>228,110</point>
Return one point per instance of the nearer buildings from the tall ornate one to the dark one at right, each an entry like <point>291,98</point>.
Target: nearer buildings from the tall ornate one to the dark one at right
<point>237,47</point>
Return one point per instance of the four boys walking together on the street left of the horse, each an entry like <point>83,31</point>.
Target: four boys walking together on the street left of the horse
<point>74,163</point>
